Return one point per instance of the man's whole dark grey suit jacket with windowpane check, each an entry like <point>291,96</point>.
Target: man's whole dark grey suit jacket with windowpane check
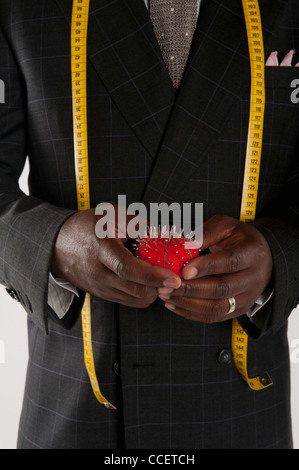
<point>165,374</point>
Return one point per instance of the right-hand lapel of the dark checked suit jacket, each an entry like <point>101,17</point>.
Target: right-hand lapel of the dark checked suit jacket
<point>217,76</point>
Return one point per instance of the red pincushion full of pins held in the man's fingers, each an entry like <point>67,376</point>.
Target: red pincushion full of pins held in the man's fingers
<point>168,252</point>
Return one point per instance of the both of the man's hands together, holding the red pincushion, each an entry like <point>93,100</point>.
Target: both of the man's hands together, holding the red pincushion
<point>239,265</point>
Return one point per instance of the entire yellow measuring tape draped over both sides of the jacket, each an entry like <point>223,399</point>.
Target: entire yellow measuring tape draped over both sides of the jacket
<point>79,29</point>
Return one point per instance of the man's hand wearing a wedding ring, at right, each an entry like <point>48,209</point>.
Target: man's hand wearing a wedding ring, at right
<point>239,265</point>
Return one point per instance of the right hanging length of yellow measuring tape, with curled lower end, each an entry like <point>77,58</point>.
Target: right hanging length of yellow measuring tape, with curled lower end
<point>252,167</point>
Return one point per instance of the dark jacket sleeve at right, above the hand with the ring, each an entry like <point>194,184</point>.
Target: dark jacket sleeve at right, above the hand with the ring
<point>283,238</point>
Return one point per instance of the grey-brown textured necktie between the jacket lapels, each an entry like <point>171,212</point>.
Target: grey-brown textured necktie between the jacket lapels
<point>174,23</point>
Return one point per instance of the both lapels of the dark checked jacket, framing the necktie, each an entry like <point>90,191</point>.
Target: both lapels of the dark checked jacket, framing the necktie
<point>177,129</point>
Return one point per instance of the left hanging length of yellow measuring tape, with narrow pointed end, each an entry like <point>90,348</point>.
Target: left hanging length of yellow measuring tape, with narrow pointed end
<point>79,63</point>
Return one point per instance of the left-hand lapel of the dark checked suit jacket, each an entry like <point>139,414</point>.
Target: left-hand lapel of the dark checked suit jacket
<point>122,48</point>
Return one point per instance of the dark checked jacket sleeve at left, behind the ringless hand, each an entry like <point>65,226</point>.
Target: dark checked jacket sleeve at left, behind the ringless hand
<point>28,226</point>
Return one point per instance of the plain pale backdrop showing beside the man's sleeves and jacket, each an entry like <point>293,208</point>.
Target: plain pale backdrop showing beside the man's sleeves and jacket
<point>13,361</point>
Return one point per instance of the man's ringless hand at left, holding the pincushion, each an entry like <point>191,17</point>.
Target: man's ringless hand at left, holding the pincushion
<point>104,267</point>
